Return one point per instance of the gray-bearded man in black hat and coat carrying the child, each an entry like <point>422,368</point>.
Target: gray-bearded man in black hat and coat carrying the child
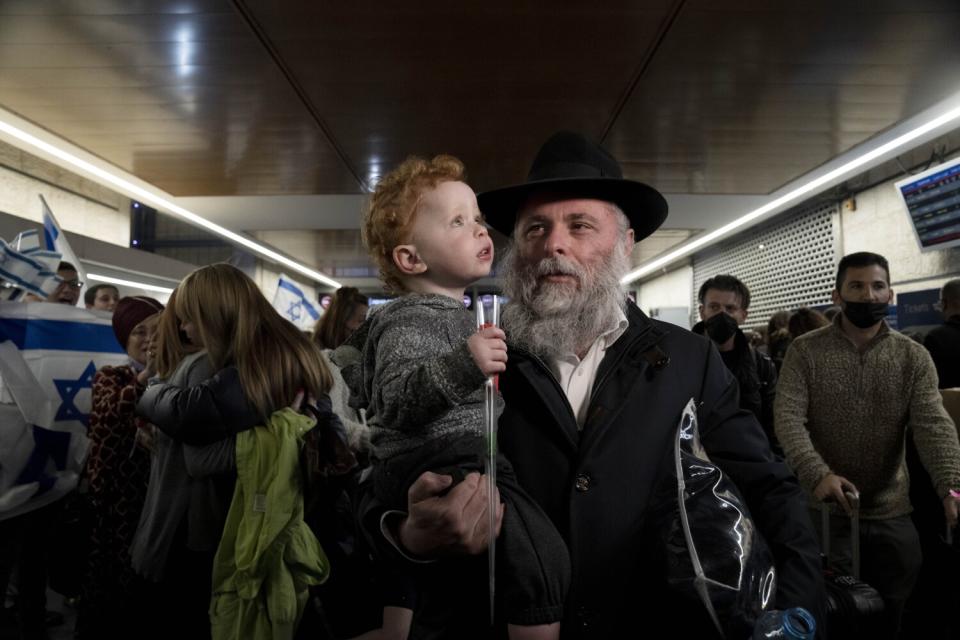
<point>594,390</point>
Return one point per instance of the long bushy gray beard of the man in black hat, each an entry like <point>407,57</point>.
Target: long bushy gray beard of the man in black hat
<point>553,319</point>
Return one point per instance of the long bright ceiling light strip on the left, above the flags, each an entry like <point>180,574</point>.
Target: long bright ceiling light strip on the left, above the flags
<point>157,199</point>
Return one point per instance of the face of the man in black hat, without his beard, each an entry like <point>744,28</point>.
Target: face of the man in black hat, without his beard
<point>583,233</point>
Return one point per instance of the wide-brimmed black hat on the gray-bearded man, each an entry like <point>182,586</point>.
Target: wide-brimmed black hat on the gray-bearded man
<point>570,164</point>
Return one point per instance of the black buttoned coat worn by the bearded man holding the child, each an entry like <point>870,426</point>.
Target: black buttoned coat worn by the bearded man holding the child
<point>596,484</point>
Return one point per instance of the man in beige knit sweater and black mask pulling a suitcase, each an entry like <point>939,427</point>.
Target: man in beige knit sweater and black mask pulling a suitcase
<point>848,395</point>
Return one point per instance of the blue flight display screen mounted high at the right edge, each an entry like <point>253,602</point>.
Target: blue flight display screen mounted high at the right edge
<point>932,199</point>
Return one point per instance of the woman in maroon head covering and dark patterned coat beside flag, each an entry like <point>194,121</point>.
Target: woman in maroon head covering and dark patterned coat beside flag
<point>117,473</point>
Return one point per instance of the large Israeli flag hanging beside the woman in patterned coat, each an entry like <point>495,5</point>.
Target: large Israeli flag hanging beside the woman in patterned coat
<point>49,354</point>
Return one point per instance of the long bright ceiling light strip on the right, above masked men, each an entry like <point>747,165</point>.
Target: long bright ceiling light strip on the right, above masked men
<point>795,195</point>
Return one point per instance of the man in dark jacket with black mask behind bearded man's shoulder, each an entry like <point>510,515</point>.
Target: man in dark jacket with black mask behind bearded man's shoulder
<point>724,304</point>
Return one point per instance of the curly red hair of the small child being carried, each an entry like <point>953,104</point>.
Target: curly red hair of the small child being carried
<point>393,208</point>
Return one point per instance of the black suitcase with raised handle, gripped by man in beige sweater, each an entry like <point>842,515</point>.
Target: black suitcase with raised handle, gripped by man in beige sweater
<point>854,608</point>
